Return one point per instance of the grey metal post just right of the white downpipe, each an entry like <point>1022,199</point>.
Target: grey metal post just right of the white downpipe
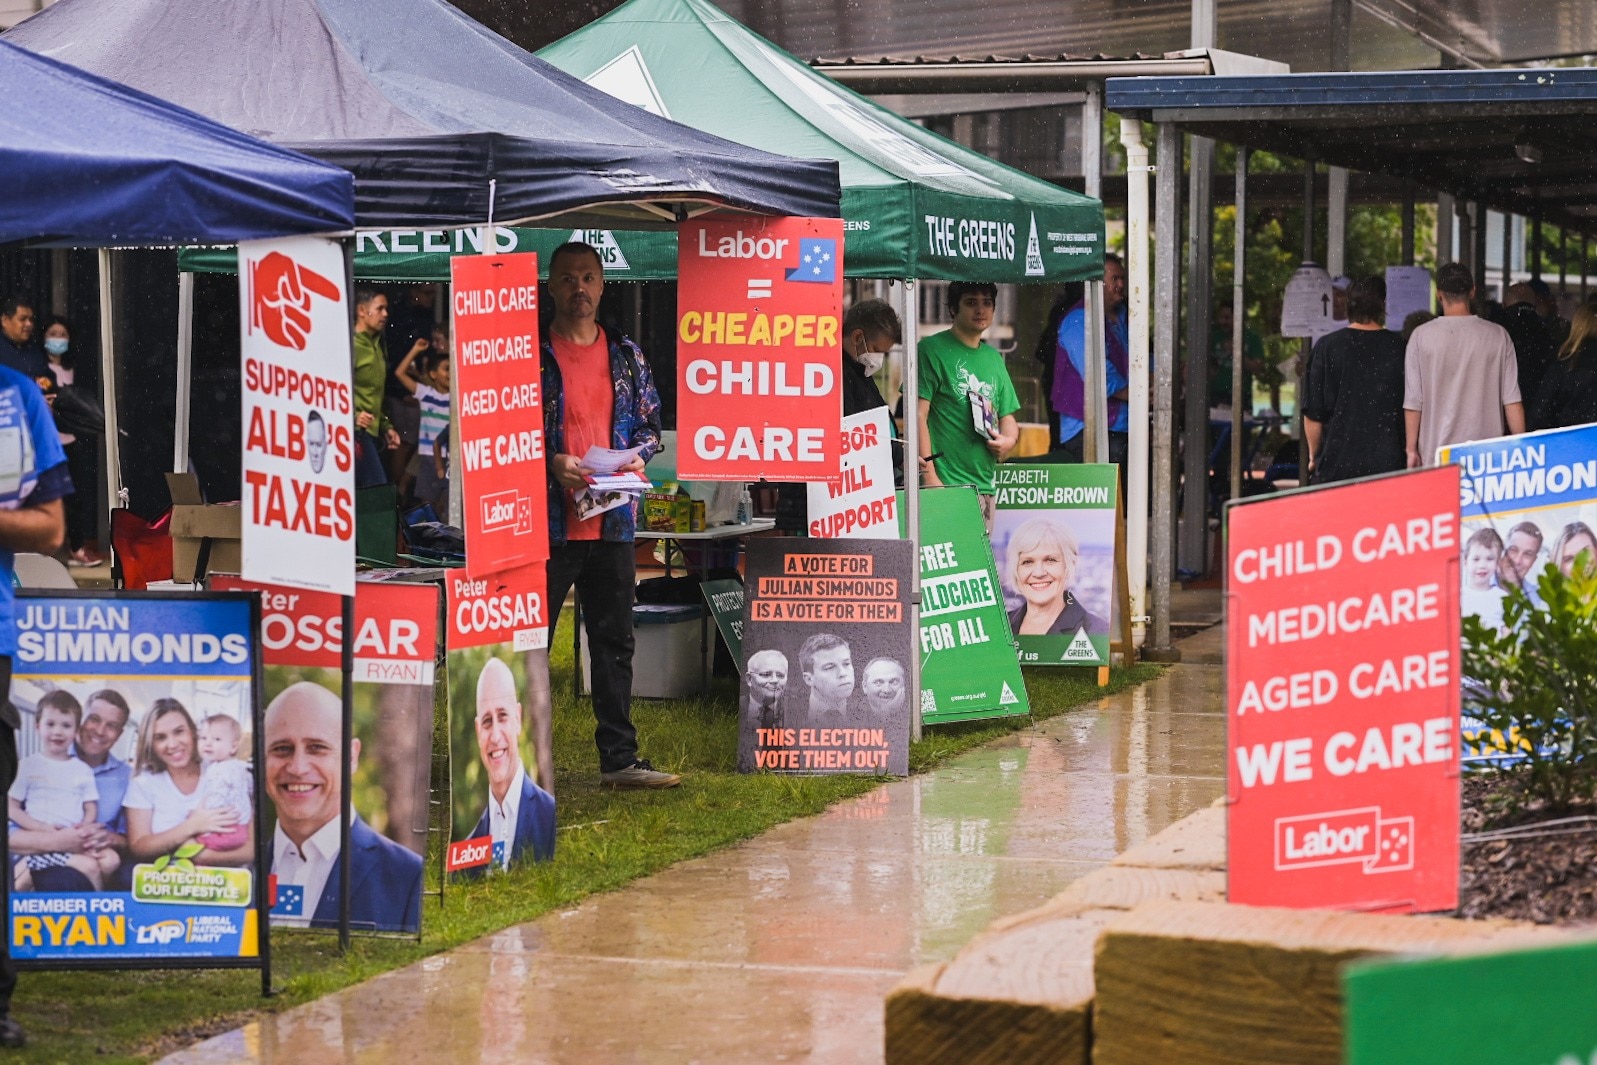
<point>1167,290</point>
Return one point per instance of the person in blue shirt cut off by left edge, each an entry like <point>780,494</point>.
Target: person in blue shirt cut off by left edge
<point>33,483</point>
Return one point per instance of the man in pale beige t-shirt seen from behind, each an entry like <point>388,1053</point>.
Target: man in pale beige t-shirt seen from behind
<point>1460,378</point>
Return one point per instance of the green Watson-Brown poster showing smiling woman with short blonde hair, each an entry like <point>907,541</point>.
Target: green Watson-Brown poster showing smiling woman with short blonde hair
<point>1055,545</point>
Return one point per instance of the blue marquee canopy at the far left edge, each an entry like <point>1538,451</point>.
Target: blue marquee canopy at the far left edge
<point>93,164</point>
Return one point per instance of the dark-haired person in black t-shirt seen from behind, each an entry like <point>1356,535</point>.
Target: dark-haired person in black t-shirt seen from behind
<point>1353,395</point>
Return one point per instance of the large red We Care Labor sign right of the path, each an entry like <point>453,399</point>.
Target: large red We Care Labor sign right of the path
<point>1342,692</point>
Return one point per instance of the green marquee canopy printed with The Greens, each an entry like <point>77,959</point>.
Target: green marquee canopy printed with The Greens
<point>916,205</point>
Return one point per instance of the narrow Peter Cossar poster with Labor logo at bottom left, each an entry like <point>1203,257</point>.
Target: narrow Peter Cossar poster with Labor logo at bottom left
<point>501,719</point>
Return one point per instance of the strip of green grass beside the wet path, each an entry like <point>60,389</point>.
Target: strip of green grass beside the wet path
<point>608,841</point>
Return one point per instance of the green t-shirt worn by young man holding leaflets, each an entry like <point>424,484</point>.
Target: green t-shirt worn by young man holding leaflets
<point>949,373</point>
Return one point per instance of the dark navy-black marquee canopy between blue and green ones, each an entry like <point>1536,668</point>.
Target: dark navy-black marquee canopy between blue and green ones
<point>443,122</point>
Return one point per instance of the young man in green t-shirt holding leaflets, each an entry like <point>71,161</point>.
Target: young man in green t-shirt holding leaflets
<point>967,398</point>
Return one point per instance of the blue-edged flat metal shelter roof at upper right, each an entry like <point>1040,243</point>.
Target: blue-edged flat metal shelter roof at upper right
<point>1515,140</point>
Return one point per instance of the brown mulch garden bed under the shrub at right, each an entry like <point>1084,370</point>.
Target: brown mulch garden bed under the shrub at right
<point>1529,865</point>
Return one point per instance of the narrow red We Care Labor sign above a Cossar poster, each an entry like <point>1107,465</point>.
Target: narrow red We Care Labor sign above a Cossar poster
<point>499,397</point>
